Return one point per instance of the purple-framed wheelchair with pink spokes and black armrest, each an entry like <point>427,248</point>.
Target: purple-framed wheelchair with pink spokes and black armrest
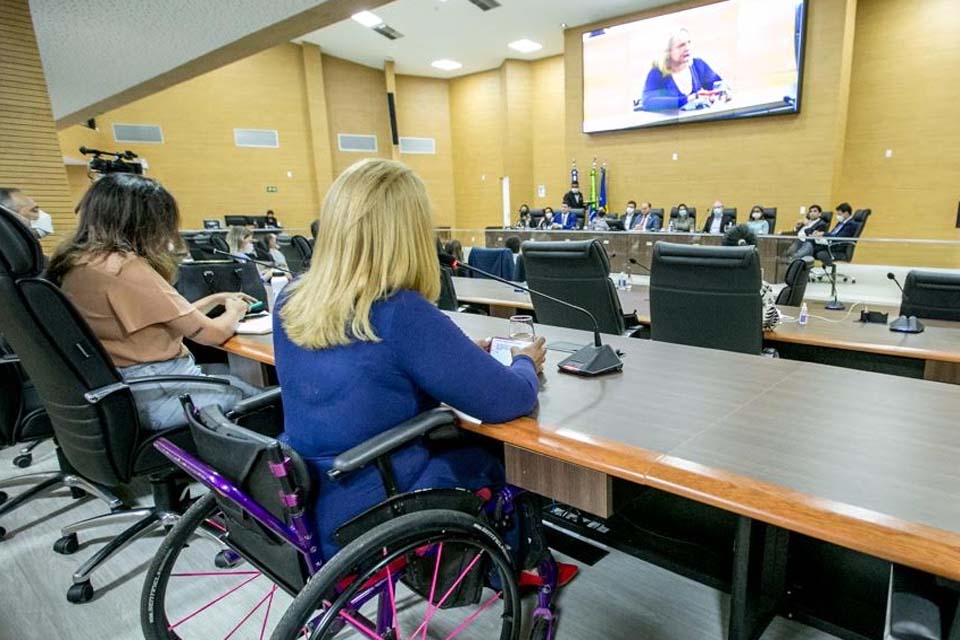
<point>244,560</point>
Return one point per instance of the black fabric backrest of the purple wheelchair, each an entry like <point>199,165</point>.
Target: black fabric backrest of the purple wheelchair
<point>244,457</point>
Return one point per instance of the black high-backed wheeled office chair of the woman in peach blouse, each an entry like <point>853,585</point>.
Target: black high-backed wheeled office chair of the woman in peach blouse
<point>91,408</point>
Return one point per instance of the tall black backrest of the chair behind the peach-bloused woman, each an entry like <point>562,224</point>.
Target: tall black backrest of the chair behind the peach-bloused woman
<point>65,361</point>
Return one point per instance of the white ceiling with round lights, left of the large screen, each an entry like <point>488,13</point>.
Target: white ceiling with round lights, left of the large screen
<point>458,30</point>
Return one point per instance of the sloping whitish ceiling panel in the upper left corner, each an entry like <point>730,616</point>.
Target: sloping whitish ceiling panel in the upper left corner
<point>93,49</point>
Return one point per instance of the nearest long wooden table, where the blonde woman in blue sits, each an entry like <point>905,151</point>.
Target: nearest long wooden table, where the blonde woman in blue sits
<point>861,460</point>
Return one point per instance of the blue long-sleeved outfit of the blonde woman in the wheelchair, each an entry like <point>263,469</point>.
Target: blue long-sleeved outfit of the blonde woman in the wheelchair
<point>335,398</point>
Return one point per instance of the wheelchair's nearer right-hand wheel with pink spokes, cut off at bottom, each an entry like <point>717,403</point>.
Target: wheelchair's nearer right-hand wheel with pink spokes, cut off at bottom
<point>430,574</point>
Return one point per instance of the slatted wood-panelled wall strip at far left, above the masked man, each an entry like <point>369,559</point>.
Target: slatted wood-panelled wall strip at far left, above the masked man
<point>29,151</point>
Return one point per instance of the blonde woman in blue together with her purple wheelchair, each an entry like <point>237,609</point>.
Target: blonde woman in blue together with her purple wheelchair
<point>402,531</point>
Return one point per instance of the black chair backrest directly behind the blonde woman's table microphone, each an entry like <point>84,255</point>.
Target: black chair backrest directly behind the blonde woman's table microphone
<point>578,273</point>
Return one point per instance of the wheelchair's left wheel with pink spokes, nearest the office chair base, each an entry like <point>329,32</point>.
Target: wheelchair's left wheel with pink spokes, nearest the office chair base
<point>191,593</point>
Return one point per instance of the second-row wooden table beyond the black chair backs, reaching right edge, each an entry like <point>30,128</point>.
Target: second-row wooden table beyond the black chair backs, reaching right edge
<point>932,355</point>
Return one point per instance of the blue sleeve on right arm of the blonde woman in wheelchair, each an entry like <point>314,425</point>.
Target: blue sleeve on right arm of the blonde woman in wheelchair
<point>449,367</point>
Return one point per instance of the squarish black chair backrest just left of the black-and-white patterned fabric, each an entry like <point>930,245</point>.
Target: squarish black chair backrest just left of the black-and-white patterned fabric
<point>690,283</point>
